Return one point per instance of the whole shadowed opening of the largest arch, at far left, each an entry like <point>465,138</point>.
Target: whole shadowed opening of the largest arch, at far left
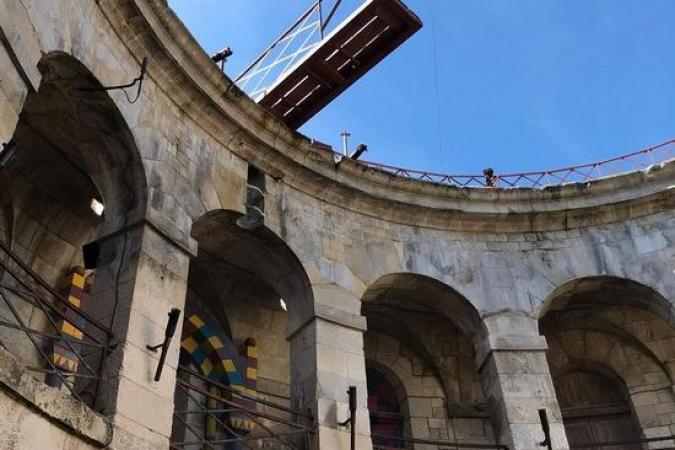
<point>71,144</point>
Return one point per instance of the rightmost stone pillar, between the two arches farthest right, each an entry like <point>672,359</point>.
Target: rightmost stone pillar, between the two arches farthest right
<point>517,382</point>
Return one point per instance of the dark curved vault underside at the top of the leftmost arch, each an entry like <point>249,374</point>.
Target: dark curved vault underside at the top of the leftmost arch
<point>91,134</point>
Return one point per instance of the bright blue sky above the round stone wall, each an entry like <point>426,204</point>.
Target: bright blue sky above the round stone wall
<point>522,84</point>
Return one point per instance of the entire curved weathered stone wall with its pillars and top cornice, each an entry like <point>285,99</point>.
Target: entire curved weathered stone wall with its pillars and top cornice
<point>193,136</point>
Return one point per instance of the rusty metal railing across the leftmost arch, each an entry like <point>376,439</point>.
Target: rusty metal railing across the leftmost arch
<point>23,293</point>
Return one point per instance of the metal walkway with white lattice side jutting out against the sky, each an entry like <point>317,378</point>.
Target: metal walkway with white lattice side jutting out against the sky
<point>308,70</point>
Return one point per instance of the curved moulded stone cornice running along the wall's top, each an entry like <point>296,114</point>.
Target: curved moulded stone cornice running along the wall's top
<point>208,97</point>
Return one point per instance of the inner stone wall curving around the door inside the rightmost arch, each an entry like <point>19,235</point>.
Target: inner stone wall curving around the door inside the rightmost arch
<point>633,344</point>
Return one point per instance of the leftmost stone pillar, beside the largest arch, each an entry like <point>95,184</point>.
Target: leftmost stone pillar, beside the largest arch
<point>153,280</point>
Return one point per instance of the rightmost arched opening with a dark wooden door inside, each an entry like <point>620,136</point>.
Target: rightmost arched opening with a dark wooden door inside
<point>610,355</point>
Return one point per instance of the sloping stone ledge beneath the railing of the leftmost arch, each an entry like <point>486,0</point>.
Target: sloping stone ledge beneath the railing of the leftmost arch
<point>57,406</point>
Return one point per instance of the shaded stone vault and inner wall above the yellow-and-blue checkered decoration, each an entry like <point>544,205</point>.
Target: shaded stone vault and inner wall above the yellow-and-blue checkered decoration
<point>240,277</point>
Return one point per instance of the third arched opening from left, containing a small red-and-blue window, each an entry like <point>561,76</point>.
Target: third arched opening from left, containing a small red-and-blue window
<point>420,331</point>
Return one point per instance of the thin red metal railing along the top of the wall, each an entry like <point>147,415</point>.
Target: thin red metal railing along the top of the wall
<point>638,160</point>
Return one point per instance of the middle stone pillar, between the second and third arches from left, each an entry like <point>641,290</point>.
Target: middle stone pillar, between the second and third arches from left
<point>326,358</point>
